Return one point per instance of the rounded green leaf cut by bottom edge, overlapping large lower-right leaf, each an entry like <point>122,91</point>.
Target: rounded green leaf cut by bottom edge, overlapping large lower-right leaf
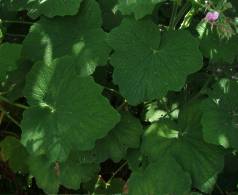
<point>163,177</point>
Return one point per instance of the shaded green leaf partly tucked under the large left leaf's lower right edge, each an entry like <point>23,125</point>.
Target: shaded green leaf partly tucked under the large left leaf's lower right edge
<point>125,135</point>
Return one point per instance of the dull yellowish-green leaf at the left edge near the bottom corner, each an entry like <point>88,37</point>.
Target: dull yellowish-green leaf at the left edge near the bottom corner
<point>14,153</point>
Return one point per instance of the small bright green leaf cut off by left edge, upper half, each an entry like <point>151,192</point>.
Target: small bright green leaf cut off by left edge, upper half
<point>10,53</point>
